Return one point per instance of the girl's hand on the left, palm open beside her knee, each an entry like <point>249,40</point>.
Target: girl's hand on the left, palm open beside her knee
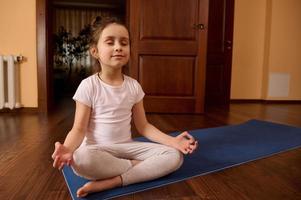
<point>61,156</point>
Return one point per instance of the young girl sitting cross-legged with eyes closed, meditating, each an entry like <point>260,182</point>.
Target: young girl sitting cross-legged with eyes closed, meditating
<point>99,146</point>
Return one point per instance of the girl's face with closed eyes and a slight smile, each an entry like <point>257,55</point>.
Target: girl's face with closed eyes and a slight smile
<point>113,47</point>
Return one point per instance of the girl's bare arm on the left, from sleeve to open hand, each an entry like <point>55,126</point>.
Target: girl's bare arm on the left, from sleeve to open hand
<point>63,154</point>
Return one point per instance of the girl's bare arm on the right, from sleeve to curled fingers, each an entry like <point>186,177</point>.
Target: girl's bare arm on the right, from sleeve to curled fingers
<point>183,142</point>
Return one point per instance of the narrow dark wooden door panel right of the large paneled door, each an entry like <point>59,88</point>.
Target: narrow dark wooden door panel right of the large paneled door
<point>219,52</point>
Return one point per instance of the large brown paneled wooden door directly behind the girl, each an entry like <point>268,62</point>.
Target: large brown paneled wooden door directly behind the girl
<point>169,53</point>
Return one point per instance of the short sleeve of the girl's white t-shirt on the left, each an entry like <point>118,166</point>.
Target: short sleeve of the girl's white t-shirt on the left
<point>83,93</point>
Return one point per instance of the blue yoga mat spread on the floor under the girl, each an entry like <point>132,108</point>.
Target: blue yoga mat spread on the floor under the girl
<point>220,148</point>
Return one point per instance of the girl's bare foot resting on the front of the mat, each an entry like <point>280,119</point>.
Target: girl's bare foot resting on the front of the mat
<point>97,186</point>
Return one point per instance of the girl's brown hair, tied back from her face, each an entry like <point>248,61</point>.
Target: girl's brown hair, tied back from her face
<point>96,27</point>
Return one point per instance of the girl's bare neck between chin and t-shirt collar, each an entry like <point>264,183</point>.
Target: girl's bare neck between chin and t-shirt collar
<point>111,77</point>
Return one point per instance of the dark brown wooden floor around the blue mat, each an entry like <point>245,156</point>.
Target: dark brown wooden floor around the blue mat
<point>26,145</point>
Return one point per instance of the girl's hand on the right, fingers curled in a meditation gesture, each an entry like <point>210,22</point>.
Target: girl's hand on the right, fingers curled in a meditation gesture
<point>185,143</point>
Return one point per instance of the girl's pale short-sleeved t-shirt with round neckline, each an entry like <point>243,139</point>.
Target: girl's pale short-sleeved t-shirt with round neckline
<point>110,119</point>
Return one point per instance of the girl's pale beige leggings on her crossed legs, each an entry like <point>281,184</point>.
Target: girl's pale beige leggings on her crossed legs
<point>102,162</point>
